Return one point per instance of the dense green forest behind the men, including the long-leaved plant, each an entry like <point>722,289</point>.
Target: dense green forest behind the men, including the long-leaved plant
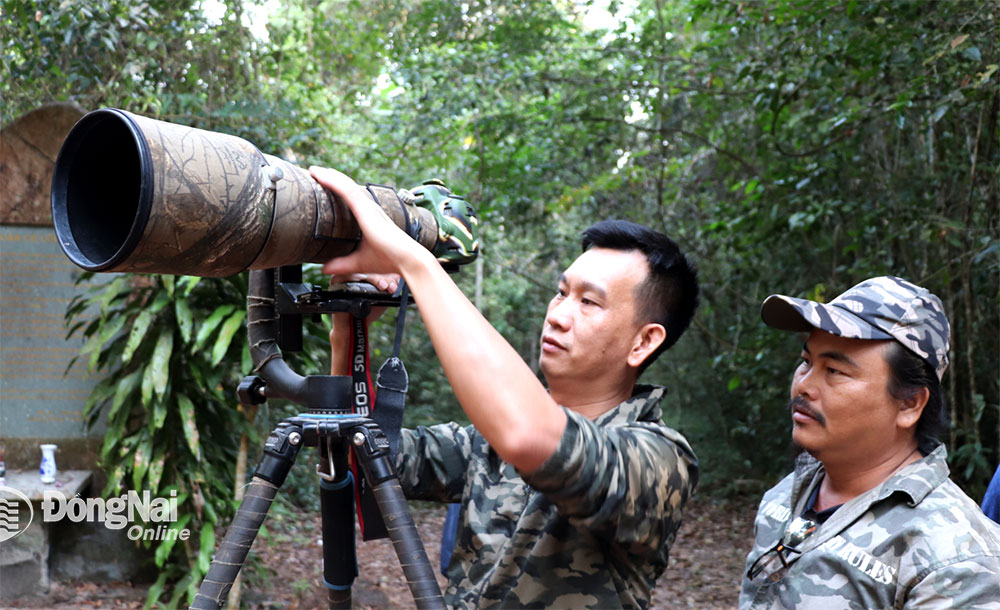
<point>792,147</point>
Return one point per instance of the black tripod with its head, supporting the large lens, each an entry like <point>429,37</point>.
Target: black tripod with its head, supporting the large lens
<point>276,301</point>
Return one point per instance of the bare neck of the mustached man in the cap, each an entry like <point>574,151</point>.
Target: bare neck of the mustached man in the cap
<point>849,479</point>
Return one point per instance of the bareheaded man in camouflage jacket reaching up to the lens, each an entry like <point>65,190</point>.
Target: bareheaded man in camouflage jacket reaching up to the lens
<point>573,494</point>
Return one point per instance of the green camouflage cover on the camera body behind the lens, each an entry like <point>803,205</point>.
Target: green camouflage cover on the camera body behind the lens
<point>458,226</point>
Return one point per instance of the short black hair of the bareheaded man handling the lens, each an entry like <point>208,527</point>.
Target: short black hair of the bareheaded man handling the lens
<point>669,295</point>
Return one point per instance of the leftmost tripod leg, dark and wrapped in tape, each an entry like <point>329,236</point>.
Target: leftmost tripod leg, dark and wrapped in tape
<point>280,450</point>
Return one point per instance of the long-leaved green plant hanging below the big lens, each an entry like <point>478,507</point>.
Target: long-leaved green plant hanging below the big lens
<point>171,350</point>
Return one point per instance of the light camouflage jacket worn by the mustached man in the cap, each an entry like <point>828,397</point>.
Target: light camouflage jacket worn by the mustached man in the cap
<point>916,541</point>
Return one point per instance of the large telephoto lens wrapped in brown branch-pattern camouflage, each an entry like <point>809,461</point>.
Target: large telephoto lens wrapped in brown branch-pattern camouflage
<point>131,193</point>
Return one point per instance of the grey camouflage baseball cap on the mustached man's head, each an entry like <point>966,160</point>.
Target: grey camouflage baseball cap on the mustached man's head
<point>877,308</point>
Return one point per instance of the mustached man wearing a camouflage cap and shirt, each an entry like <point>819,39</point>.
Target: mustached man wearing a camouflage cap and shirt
<point>869,517</point>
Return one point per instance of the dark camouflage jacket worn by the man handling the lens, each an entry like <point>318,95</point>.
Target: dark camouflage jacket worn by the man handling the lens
<point>590,529</point>
